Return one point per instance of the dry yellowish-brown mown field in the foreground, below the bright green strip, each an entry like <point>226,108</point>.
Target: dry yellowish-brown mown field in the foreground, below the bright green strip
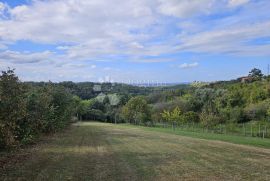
<point>98,151</point>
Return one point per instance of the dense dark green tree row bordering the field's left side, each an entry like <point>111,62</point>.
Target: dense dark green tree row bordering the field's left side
<point>27,111</point>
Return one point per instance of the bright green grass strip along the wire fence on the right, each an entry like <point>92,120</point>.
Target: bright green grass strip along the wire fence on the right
<point>251,141</point>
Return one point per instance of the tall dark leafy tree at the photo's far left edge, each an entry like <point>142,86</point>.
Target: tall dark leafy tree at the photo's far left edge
<point>12,107</point>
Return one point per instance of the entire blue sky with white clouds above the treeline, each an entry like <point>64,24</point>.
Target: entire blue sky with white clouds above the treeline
<point>134,40</point>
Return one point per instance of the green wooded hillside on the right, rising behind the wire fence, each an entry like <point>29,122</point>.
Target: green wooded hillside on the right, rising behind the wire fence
<point>230,102</point>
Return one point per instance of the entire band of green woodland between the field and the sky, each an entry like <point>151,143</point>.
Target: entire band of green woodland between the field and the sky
<point>30,109</point>
